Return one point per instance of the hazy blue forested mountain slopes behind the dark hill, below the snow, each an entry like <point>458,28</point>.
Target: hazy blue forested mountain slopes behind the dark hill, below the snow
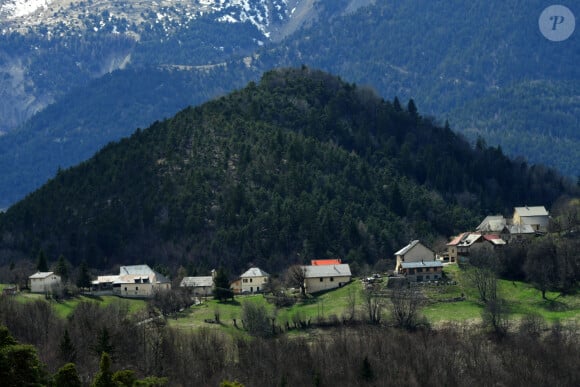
<point>458,61</point>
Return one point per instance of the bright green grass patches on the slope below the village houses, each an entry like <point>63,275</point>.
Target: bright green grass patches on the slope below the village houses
<point>446,303</point>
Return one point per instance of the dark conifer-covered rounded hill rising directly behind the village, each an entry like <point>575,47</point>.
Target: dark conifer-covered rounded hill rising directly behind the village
<point>300,165</point>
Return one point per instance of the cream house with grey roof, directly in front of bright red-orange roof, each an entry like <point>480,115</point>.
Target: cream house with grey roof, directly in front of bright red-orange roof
<point>325,277</point>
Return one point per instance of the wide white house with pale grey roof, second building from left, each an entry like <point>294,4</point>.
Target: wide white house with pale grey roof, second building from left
<point>136,281</point>
